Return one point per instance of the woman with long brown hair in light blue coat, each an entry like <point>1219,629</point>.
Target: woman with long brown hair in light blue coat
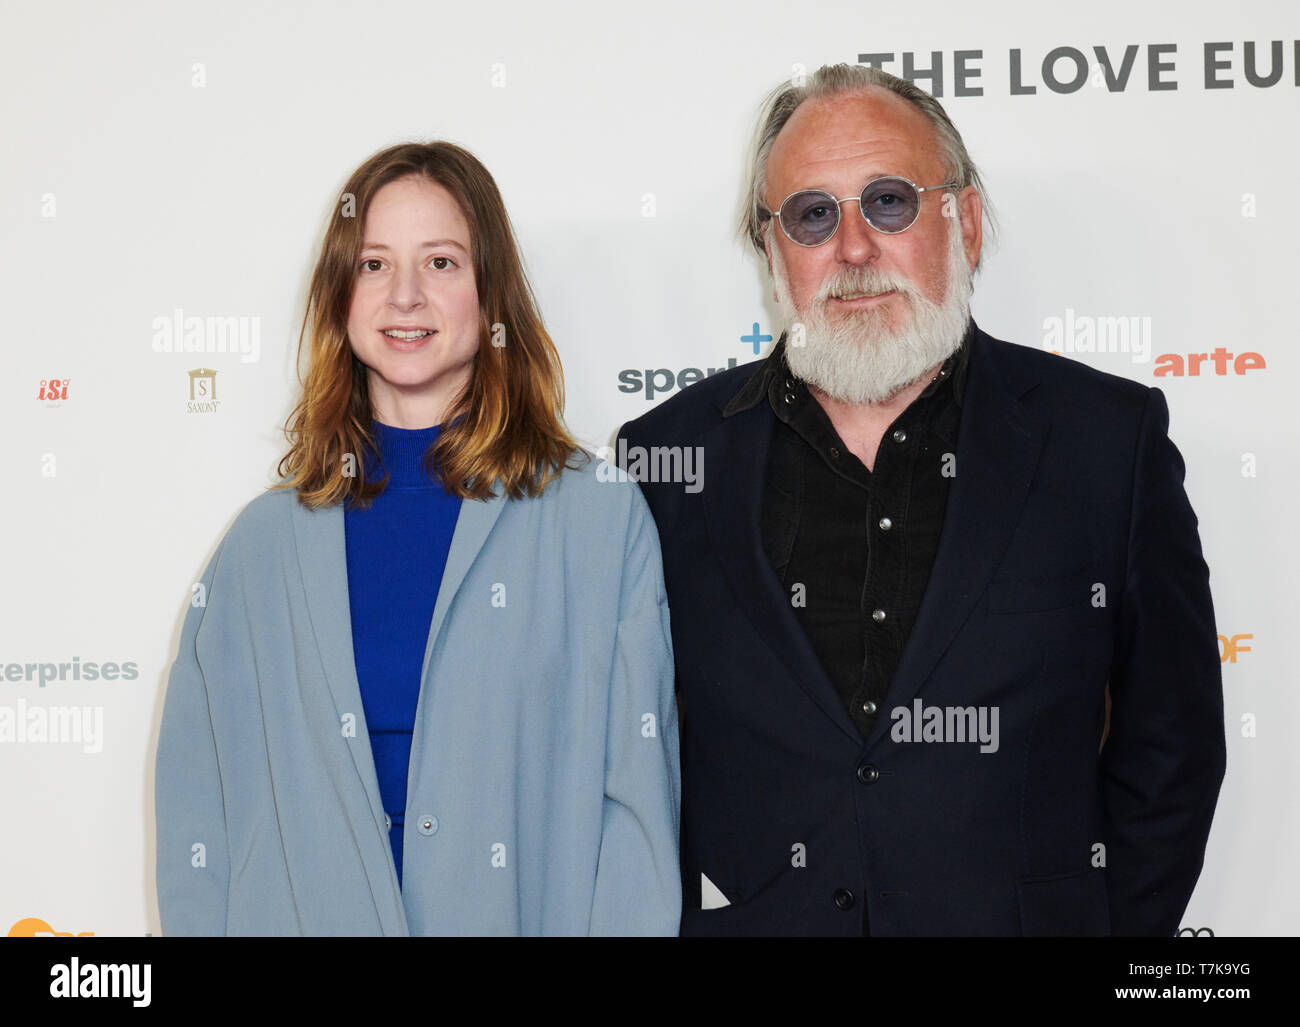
<point>330,764</point>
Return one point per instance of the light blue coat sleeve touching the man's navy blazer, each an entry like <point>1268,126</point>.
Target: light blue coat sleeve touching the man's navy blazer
<point>639,876</point>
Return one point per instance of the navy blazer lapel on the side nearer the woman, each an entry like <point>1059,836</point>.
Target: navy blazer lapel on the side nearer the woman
<point>738,449</point>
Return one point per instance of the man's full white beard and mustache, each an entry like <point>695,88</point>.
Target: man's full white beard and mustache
<point>861,358</point>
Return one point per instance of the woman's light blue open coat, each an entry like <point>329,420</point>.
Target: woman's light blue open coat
<point>544,786</point>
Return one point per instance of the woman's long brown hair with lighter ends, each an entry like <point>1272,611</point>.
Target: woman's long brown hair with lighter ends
<point>506,426</point>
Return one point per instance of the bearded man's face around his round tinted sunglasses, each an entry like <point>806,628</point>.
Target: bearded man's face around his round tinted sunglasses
<point>865,349</point>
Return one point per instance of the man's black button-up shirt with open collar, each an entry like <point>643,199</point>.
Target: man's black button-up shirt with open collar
<point>853,548</point>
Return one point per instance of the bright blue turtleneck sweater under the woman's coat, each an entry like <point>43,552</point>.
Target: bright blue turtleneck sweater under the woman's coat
<point>396,554</point>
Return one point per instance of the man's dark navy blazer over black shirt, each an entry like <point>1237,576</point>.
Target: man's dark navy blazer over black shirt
<point>1069,561</point>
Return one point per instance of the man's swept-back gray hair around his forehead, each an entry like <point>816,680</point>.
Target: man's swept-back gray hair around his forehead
<point>838,80</point>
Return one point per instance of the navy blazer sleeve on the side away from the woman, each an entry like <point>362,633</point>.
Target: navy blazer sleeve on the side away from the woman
<point>1164,760</point>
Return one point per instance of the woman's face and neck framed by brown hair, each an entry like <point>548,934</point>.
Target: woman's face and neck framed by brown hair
<point>415,275</point>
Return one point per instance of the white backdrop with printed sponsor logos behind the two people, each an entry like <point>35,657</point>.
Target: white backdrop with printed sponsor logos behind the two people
<point>163,158</point>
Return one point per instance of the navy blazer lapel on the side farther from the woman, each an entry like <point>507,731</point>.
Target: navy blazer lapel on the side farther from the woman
<point>998,452</point>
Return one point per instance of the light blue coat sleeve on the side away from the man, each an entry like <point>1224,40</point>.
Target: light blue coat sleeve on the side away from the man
<point>193,852</point>
